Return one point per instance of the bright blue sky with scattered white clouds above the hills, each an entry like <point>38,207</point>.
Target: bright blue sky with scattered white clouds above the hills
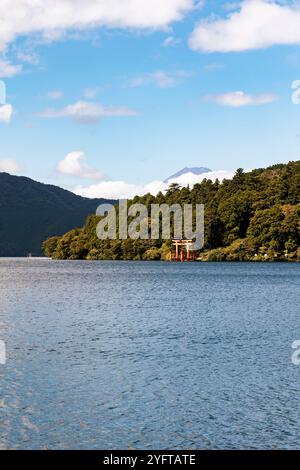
<point>95,104</point>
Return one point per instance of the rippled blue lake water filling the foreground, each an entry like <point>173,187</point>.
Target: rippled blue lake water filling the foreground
<point>118,355</point>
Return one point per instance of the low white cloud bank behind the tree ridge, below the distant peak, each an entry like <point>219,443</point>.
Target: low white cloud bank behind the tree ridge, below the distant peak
<point>123,190</point>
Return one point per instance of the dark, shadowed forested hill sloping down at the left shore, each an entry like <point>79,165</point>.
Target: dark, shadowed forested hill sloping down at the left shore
<point>31,211</point>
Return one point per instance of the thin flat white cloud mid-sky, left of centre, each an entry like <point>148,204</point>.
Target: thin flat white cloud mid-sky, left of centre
<point>87,112</point>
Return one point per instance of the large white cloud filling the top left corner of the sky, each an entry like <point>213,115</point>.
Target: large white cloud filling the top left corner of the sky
<point>52,18</point>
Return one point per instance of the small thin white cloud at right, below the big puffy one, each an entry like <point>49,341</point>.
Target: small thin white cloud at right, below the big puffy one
<point>237,99</point>
